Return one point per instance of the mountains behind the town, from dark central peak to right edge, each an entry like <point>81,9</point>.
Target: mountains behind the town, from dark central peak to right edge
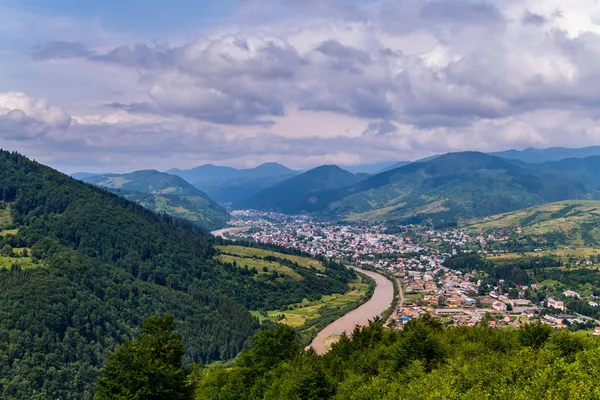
<point>450,187</point>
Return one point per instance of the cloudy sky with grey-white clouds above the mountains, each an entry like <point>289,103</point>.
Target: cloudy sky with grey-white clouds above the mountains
<point>122,85</point>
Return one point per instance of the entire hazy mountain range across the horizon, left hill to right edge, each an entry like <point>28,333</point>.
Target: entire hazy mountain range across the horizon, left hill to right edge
<point>439,188</point>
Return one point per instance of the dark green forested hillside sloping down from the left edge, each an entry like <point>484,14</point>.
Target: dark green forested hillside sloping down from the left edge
<point>89,266</point>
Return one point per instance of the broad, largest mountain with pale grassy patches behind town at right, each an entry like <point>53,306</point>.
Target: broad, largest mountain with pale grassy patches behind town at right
<point>452,186</point>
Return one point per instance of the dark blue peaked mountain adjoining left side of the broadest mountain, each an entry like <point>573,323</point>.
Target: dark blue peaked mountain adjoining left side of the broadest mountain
<point>302,192</point>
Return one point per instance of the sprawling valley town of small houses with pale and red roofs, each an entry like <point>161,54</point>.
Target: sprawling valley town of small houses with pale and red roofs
<point>416,259</point>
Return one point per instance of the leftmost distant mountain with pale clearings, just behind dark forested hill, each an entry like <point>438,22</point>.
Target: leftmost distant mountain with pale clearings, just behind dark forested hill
<point>165,193</point>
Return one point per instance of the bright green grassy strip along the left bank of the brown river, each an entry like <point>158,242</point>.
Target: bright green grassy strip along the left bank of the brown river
<point>308,311</point>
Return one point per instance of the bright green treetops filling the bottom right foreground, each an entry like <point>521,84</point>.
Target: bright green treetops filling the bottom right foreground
<point>426,360</point>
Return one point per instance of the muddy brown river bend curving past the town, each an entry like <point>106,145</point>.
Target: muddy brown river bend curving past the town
<point>378,303</point>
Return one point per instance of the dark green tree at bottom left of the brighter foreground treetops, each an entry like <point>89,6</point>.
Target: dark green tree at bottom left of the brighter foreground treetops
<point>149,367</point>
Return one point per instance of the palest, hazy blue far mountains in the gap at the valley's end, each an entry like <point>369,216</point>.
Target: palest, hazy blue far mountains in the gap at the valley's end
<point>227,185</point>
